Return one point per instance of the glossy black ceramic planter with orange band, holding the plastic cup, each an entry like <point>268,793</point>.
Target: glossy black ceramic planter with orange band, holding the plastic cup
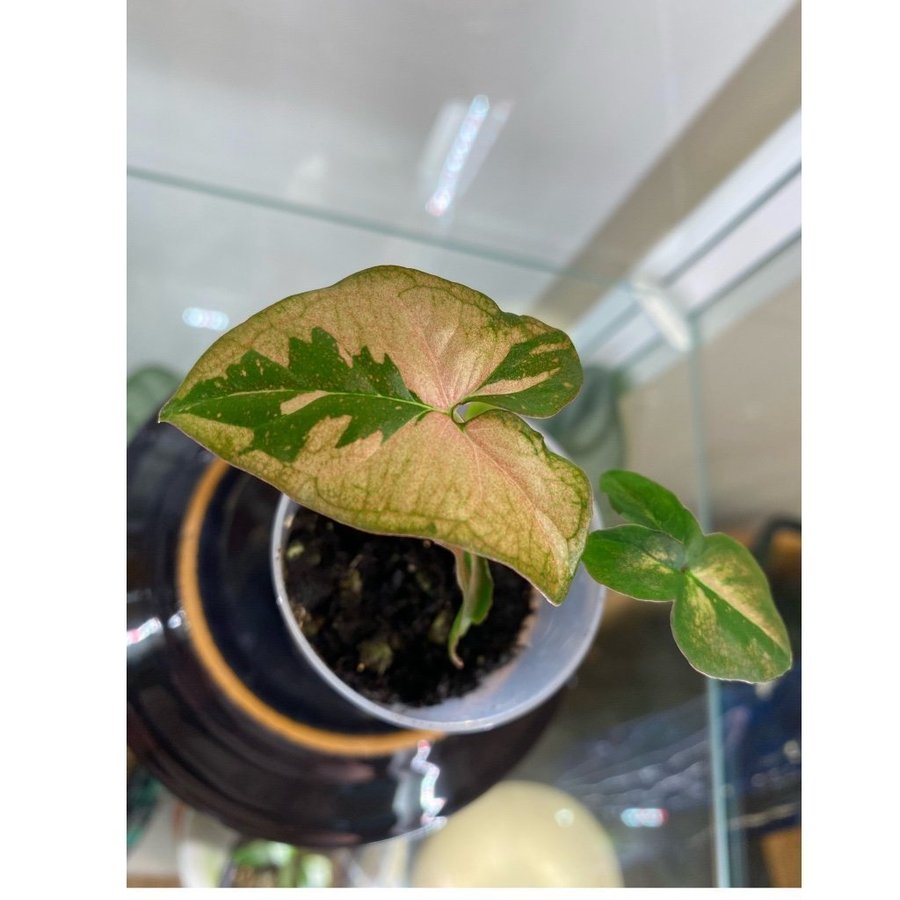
<point>222,709</point>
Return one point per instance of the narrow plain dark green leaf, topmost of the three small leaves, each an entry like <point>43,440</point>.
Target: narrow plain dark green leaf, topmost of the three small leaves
<point>647,503</point>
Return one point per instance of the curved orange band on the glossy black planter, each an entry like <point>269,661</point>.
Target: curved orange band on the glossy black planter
<point>224,676</point>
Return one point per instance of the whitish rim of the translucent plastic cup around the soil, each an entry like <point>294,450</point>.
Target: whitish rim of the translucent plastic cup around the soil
<point>430,717</point>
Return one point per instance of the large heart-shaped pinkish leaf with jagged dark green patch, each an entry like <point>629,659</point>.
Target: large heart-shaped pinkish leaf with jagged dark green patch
<point>349,400</point>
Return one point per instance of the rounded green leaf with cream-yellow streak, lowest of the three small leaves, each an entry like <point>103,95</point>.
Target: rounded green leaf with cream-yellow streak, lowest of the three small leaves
<point>725,620</point>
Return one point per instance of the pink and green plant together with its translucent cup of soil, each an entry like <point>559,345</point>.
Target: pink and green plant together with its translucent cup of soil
<point>392,402</point>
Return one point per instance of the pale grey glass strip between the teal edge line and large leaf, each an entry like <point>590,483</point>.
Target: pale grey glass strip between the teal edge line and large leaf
<point>201,261</point>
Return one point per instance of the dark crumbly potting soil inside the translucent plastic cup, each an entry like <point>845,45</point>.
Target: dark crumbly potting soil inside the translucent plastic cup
<point>378,611</point>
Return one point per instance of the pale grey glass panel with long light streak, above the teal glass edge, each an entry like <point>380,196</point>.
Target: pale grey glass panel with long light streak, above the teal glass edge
<point>532,124</point>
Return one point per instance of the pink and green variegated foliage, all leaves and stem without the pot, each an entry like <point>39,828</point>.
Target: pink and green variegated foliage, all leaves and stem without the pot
<point>392,401</point>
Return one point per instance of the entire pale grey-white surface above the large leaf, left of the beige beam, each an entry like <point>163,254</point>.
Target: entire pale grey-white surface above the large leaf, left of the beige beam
<point>332,106</point>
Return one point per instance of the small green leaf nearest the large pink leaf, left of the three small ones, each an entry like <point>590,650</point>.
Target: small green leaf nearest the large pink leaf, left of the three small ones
<point>636,561</point>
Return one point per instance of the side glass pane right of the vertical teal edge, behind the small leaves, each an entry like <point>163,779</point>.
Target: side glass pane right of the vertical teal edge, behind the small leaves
<point>751,397</point>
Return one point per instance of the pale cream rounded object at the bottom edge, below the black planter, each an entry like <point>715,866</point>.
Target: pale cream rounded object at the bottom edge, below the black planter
<point>519,834</point>
